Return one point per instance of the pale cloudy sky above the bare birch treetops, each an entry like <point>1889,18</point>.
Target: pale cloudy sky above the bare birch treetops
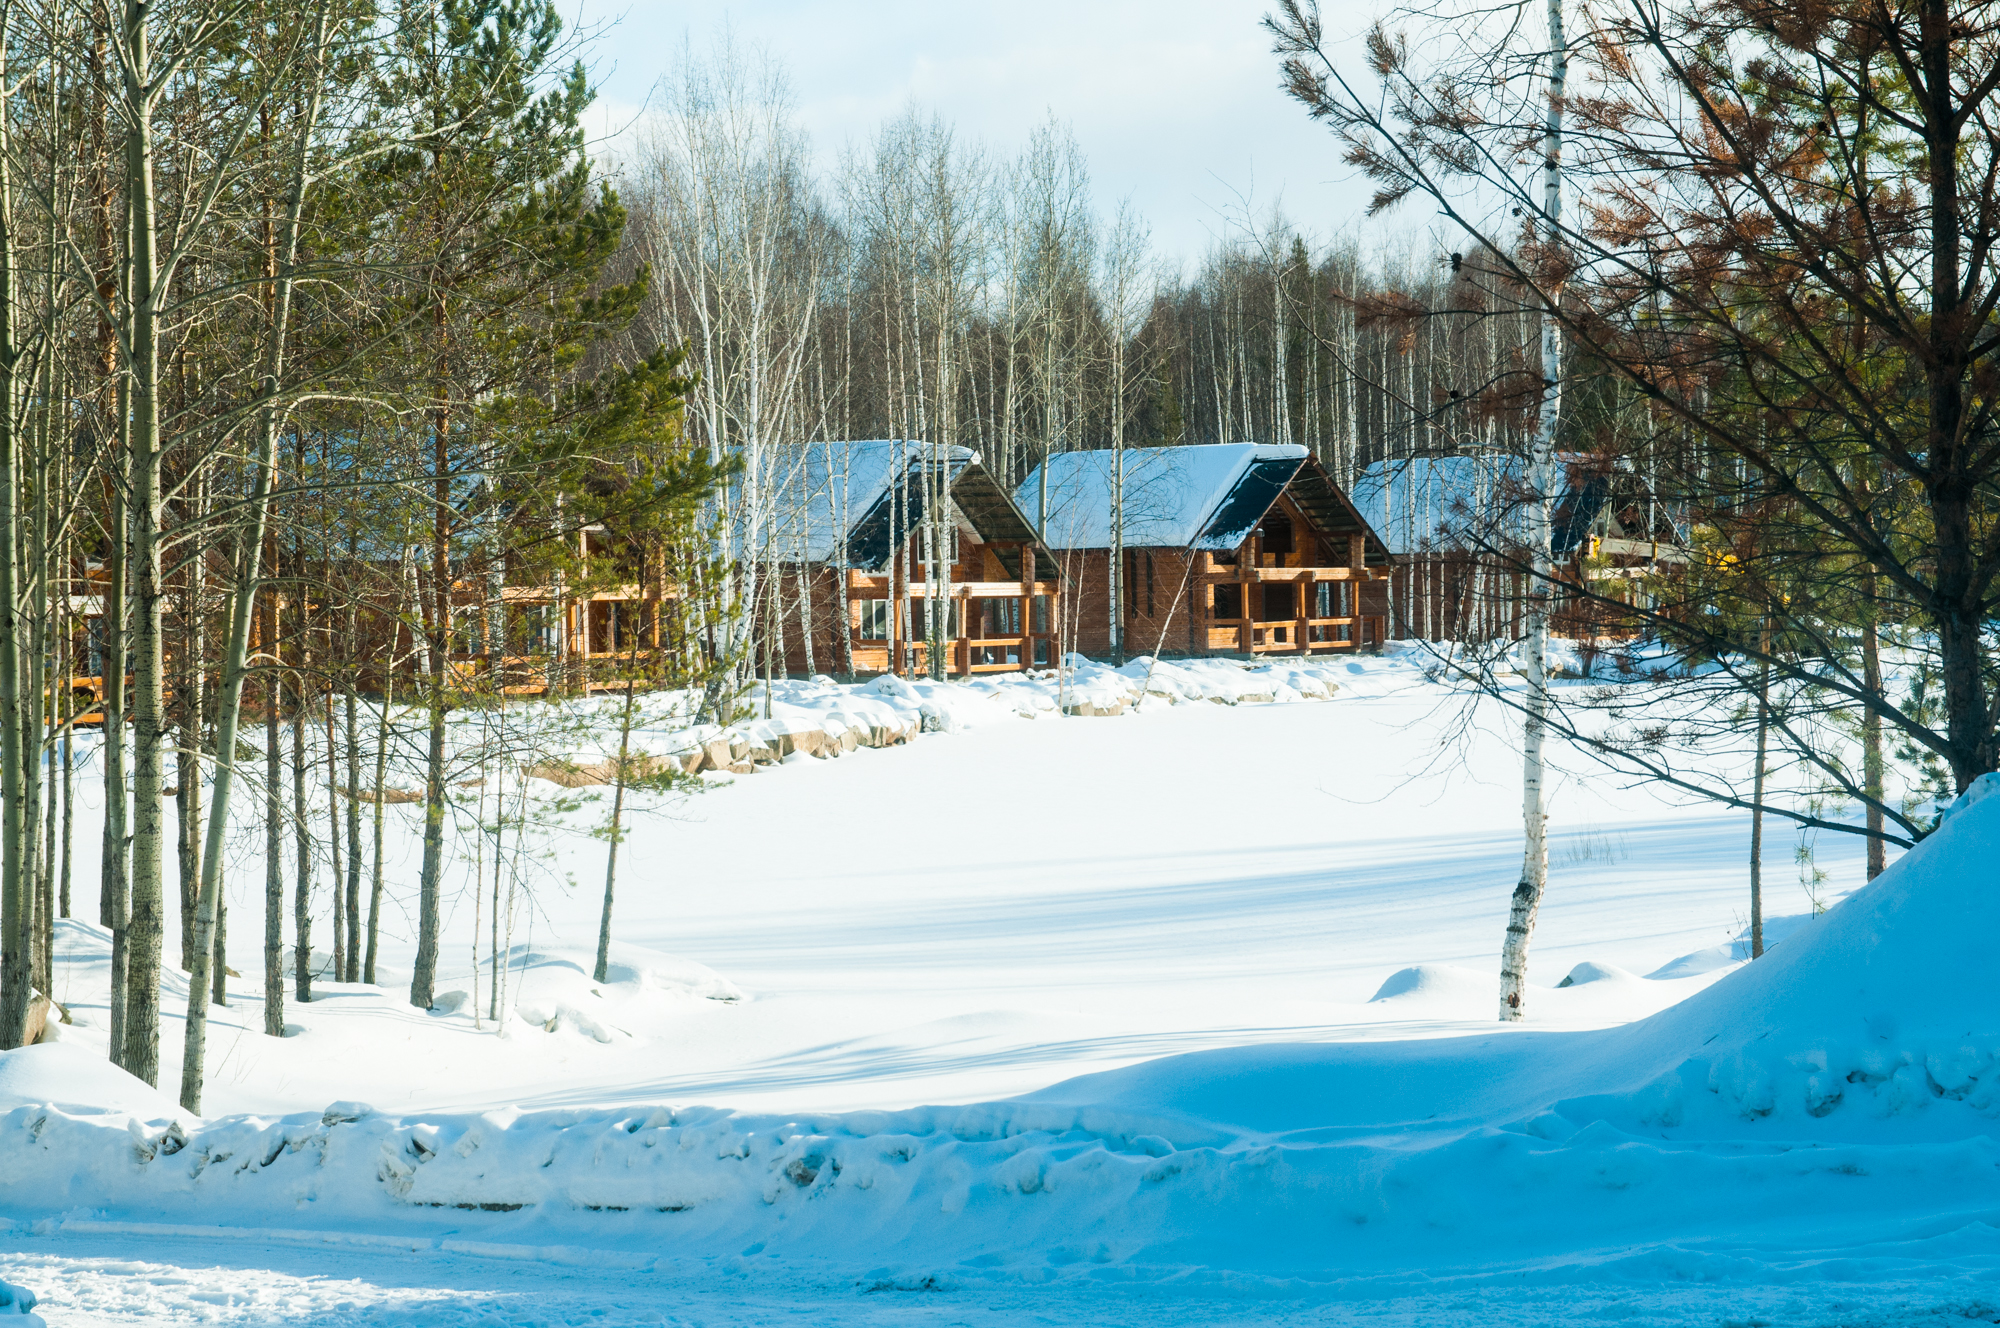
<point>1173,101</point>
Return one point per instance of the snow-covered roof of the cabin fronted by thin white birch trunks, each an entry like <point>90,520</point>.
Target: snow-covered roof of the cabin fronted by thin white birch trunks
<point>827,495</point>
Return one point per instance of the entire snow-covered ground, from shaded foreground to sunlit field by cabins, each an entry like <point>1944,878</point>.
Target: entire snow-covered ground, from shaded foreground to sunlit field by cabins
<point>1179,1017</point>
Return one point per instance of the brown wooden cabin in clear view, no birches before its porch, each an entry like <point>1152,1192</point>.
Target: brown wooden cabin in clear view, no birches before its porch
<point>1229,549</point>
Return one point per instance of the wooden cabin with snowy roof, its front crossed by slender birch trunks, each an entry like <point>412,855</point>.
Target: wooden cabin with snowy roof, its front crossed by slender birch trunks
<point>853,537</point>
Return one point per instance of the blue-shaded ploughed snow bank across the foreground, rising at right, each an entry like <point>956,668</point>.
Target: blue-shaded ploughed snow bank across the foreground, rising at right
<point>1835,1097</point>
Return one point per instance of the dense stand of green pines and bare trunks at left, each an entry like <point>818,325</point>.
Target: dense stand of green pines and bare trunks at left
<point>309,341</point>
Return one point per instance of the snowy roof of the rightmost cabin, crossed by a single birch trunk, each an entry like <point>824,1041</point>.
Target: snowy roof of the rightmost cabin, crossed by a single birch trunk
<point>1457,503</point>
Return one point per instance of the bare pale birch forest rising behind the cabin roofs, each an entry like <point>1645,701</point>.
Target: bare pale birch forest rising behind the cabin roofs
<point>921,285</point>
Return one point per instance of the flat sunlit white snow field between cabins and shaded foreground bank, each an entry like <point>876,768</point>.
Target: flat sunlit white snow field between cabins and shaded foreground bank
<point>1001,903</point>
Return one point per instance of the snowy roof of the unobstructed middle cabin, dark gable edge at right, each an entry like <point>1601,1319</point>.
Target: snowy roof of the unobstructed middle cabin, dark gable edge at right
<point>1193,497</point>
